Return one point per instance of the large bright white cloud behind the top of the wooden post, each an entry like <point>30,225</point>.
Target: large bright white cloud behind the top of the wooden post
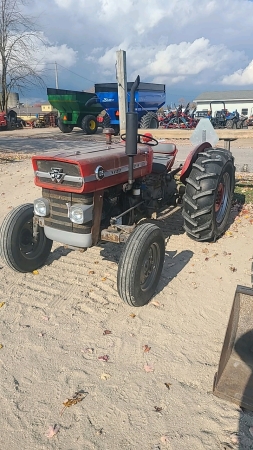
<point>175,62</point>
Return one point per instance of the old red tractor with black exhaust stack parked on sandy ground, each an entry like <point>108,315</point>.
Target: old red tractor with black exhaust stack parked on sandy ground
<point>102,192</point>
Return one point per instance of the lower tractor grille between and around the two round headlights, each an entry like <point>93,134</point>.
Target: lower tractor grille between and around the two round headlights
<point>59,211</point>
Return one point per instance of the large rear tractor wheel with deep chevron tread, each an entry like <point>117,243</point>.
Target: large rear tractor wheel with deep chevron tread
<point>208,195</point>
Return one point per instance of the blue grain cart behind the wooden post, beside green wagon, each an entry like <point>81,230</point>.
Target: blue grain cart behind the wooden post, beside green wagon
<point>149,97</point>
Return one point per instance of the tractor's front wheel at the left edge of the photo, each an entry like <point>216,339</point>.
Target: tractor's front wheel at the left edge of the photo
<point>18,248</point>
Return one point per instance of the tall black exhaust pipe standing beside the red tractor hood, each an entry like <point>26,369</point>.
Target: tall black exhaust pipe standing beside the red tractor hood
<point>131,132</point>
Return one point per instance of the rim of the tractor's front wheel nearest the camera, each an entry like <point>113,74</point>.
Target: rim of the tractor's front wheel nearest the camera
<point>150,267</point>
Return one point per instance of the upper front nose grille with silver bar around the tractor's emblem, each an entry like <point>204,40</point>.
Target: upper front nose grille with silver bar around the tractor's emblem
<point>71,178</point>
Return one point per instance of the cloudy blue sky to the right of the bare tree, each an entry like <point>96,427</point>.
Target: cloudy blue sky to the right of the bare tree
<point>189,45</point>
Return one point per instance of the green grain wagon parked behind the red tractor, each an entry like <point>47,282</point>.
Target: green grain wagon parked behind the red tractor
<point>76,109</point>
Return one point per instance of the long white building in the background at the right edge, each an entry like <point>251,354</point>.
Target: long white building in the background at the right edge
<point>241,100</point>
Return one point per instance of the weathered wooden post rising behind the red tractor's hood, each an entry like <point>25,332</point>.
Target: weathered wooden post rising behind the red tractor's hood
<point>122,88</point>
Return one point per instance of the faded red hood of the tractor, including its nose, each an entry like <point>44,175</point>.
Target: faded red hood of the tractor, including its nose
<point>92,167</point>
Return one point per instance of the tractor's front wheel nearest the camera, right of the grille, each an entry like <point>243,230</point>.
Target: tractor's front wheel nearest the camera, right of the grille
<point>141,264</point>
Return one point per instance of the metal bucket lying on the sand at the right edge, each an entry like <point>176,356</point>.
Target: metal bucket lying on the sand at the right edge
<point>234,379</point>
